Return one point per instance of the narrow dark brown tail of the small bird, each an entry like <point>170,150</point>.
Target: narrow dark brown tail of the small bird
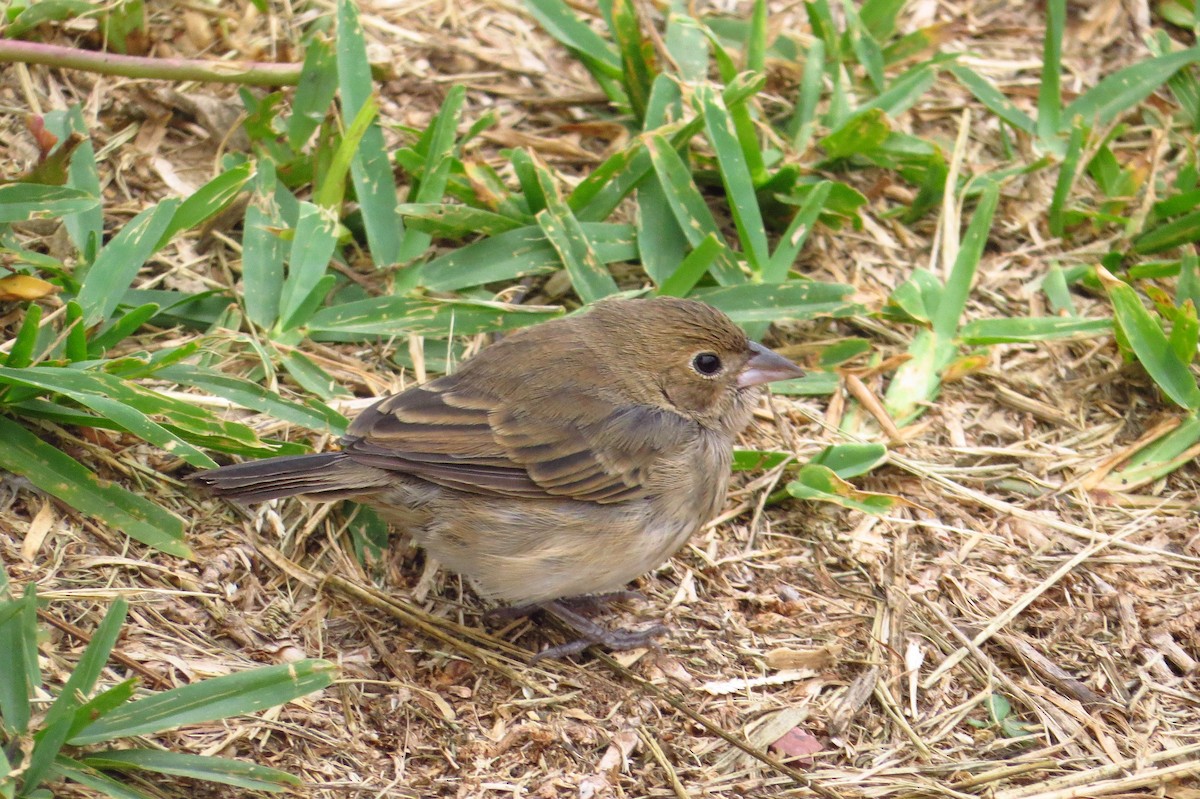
<point>326,477</point>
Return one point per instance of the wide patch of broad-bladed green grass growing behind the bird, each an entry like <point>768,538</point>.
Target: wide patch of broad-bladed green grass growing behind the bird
<point>700,152</point>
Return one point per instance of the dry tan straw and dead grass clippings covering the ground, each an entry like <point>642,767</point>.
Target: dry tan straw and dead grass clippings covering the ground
<point>1015,573</point>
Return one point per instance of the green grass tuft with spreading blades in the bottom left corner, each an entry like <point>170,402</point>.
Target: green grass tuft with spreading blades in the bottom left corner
<point>59,743</point>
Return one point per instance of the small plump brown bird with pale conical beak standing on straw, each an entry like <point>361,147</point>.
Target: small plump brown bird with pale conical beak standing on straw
<point>561,462</point>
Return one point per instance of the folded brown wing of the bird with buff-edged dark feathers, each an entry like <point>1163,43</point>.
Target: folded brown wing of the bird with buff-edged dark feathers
<point>579,447</point>
